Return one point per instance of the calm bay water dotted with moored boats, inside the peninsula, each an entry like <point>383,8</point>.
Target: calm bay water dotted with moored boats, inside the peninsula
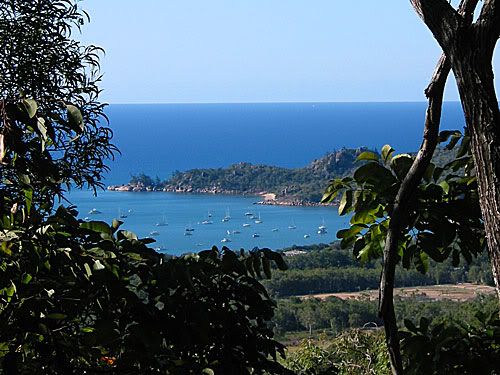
<point>183,211</point>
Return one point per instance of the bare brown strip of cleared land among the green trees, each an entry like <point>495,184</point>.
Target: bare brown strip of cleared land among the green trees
<point>459,292</point>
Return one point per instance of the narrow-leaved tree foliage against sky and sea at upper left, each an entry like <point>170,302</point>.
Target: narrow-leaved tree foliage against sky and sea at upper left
<point>51,133</point>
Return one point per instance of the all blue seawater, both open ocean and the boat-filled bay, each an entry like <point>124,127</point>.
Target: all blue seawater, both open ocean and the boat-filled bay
<point>159,139</point>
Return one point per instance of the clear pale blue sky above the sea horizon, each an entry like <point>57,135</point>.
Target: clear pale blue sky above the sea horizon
<point>166,51</point>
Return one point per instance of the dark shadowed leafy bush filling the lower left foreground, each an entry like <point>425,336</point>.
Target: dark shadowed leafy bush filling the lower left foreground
<point>73,293</point>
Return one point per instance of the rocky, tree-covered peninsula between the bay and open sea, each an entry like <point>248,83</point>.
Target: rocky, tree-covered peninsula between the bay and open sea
<point>278,185</point>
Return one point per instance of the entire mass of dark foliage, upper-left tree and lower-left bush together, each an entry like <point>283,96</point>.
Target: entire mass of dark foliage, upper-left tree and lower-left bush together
<point>87,297</point>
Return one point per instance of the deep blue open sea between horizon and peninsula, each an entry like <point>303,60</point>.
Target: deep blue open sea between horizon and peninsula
<point>160,138</point>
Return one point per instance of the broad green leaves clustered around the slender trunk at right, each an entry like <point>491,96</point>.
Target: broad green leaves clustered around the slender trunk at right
<point>444,216</point>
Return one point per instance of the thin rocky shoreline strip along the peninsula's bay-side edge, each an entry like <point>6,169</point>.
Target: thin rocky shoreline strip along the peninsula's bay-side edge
<point>269,199</point>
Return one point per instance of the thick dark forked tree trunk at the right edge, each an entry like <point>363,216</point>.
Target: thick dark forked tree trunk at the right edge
<point>470,50</point>
